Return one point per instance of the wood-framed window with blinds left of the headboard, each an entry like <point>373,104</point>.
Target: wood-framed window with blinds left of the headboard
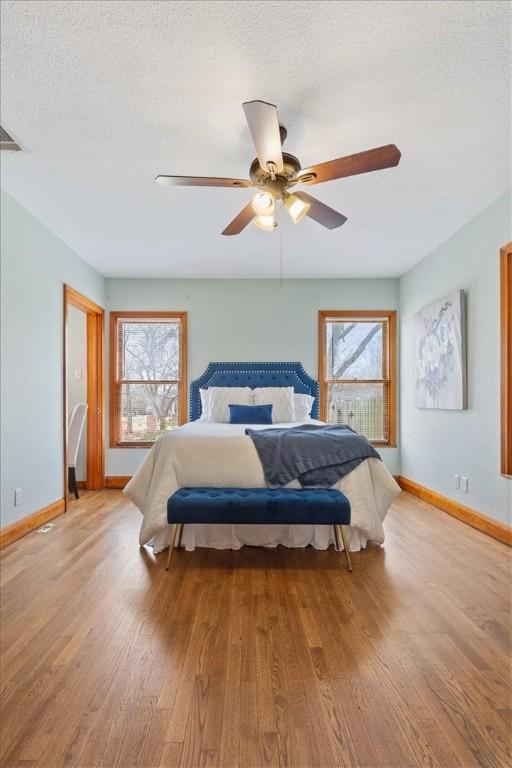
<point>148,354</point>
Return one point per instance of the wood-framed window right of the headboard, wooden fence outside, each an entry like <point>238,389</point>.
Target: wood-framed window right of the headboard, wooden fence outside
<point>357,372</point>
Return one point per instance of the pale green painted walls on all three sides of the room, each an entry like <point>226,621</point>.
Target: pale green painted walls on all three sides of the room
<point>249,320</point>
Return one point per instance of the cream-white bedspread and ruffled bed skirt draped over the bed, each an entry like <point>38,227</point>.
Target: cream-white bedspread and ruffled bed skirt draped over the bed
<point>208,454</point>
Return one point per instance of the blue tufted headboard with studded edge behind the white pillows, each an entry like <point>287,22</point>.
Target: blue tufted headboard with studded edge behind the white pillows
<point>253,375</point>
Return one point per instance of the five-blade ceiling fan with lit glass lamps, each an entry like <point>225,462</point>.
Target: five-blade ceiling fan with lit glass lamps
<point>273,172</point>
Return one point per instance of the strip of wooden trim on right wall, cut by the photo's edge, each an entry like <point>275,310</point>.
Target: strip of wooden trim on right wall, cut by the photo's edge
<point>506,358</point>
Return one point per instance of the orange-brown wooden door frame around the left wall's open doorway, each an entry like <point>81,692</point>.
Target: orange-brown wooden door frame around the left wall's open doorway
<point>95,316</point>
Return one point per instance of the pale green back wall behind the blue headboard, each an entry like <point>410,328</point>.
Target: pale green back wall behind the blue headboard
<point>239,320</point>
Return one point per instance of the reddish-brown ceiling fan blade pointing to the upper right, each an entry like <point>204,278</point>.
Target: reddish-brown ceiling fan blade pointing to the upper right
<point>363,162</point>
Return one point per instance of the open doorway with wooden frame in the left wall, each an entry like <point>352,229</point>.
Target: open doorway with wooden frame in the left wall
<point>83,383</point>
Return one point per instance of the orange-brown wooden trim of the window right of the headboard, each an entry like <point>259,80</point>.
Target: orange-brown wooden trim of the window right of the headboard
<point>388,315</point>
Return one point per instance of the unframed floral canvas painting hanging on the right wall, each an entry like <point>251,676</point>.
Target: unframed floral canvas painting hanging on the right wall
<point>440,354</point>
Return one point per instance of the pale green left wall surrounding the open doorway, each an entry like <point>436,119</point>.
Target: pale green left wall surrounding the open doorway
<point>34,266</point>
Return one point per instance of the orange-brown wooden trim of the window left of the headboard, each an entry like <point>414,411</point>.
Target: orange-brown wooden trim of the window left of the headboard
<point>114,387</point>
